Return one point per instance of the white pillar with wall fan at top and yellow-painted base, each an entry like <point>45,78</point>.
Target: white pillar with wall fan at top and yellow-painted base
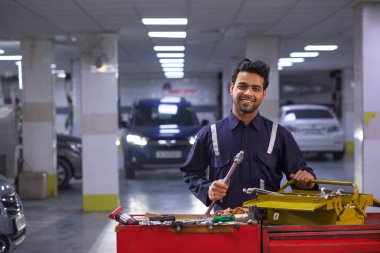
<point>99,121</point>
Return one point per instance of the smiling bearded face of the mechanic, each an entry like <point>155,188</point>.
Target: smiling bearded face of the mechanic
<point>247,92</point>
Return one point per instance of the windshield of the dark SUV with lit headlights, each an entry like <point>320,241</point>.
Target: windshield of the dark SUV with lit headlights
<point>164,114</point>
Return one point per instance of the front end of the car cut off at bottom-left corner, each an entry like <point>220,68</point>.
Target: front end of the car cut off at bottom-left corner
<point>12,219</point>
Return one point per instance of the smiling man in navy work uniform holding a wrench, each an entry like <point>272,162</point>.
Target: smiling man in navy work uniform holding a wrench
<point>269,149</point>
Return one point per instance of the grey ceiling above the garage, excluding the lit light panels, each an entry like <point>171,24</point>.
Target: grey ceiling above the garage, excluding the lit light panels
<point>216,29</point>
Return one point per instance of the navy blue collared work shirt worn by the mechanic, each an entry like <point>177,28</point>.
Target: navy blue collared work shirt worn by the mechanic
<point>258,168</point>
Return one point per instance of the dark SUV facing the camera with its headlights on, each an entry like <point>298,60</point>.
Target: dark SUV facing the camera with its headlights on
<point>160,133</point>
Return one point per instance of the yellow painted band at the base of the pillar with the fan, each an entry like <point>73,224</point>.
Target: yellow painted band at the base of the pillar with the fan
<point>93,203</point>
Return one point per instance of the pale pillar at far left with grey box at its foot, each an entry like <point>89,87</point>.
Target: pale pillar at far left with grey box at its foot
<point>38,179</point>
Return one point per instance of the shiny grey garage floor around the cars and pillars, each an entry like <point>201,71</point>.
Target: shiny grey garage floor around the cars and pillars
<point>59,225</point>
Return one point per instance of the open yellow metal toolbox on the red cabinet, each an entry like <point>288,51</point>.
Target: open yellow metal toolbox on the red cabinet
<point>303,207</point>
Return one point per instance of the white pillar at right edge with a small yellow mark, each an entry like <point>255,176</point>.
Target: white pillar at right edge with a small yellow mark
<point>367,90</point>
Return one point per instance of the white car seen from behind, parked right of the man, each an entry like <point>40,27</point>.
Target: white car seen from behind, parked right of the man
<point>315,128</point>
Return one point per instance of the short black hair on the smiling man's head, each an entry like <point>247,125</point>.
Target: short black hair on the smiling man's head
<point>257,67</point>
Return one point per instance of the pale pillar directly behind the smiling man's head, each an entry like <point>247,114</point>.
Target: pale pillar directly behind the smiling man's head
<point>267,50</point>
